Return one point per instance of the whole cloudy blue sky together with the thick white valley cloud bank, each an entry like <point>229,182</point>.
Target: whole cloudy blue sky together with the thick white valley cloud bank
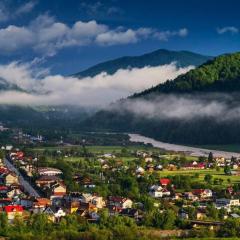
<point>43,42</point>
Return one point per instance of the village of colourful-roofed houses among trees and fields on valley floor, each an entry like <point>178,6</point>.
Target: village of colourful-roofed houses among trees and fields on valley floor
<point>201,192</point>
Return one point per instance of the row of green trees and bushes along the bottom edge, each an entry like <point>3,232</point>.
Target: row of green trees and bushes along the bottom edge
<point>75,227</point>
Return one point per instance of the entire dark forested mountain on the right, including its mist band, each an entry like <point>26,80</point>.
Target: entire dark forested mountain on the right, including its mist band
<point>215,84</point>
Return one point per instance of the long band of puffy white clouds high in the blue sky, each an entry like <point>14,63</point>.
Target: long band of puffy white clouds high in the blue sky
<point>45,35</point>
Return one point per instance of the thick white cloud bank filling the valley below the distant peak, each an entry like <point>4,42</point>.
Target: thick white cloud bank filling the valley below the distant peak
<point>43,89</point>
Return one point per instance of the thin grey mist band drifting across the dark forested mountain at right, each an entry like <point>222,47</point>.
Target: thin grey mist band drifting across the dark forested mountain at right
<point>217,106</point>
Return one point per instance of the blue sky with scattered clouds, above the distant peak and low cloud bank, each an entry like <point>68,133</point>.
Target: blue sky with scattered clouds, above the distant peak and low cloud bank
<point>68,36</point>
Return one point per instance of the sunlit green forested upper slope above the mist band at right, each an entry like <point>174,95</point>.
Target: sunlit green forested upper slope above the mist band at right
<point>219,74</point>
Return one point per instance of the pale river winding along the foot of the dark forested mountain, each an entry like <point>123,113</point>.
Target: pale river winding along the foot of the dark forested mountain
<point>194,151</point>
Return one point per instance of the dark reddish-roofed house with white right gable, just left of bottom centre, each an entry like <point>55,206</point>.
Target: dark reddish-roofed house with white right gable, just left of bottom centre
<point>119,203</point>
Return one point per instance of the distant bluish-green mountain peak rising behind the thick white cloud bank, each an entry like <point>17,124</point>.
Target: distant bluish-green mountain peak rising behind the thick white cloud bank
<point>156,58</point>
